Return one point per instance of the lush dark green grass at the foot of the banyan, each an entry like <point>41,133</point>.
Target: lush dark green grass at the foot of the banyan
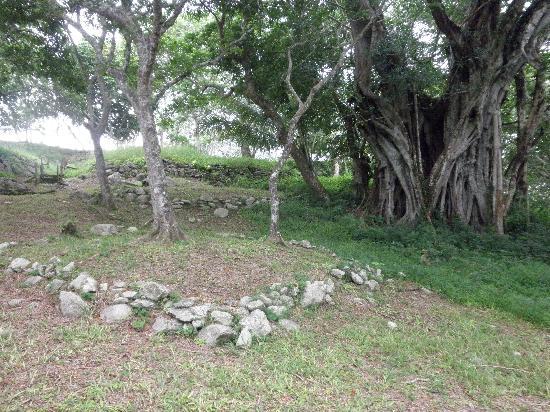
<point>510,273</point>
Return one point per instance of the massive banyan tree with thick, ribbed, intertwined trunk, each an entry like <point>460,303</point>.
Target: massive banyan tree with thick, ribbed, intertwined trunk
<point>442,155</point>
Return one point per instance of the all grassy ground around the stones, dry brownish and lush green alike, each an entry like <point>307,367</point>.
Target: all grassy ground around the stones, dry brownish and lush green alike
<point>474,351</point>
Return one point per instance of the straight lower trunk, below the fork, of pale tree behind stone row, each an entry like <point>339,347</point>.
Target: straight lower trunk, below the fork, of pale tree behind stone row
<point>165,226</point>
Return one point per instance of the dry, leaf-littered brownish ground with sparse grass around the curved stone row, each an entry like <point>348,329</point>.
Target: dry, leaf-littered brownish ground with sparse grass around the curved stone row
<point>442,355</point>
